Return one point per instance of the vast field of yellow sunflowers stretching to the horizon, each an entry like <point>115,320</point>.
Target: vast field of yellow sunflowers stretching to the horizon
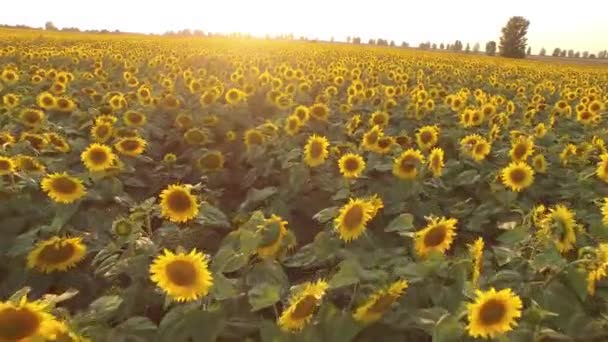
<point>215,189</point>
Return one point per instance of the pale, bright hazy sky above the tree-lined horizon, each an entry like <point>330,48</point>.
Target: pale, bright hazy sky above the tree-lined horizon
<point>580,25</point>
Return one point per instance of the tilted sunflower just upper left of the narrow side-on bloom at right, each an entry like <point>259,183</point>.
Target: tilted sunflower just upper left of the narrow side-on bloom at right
<point>437,236</point>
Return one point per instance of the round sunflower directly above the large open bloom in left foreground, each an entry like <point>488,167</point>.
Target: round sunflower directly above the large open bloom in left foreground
<point>178,204</point>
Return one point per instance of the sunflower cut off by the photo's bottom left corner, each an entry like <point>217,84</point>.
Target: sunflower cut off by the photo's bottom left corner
<point>26,321</point>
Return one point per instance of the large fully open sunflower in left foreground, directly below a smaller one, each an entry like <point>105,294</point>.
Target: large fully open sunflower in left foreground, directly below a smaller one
<point>183,277</point>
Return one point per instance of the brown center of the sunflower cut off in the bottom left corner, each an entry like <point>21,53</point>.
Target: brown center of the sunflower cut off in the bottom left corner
<point>17,324</point>
